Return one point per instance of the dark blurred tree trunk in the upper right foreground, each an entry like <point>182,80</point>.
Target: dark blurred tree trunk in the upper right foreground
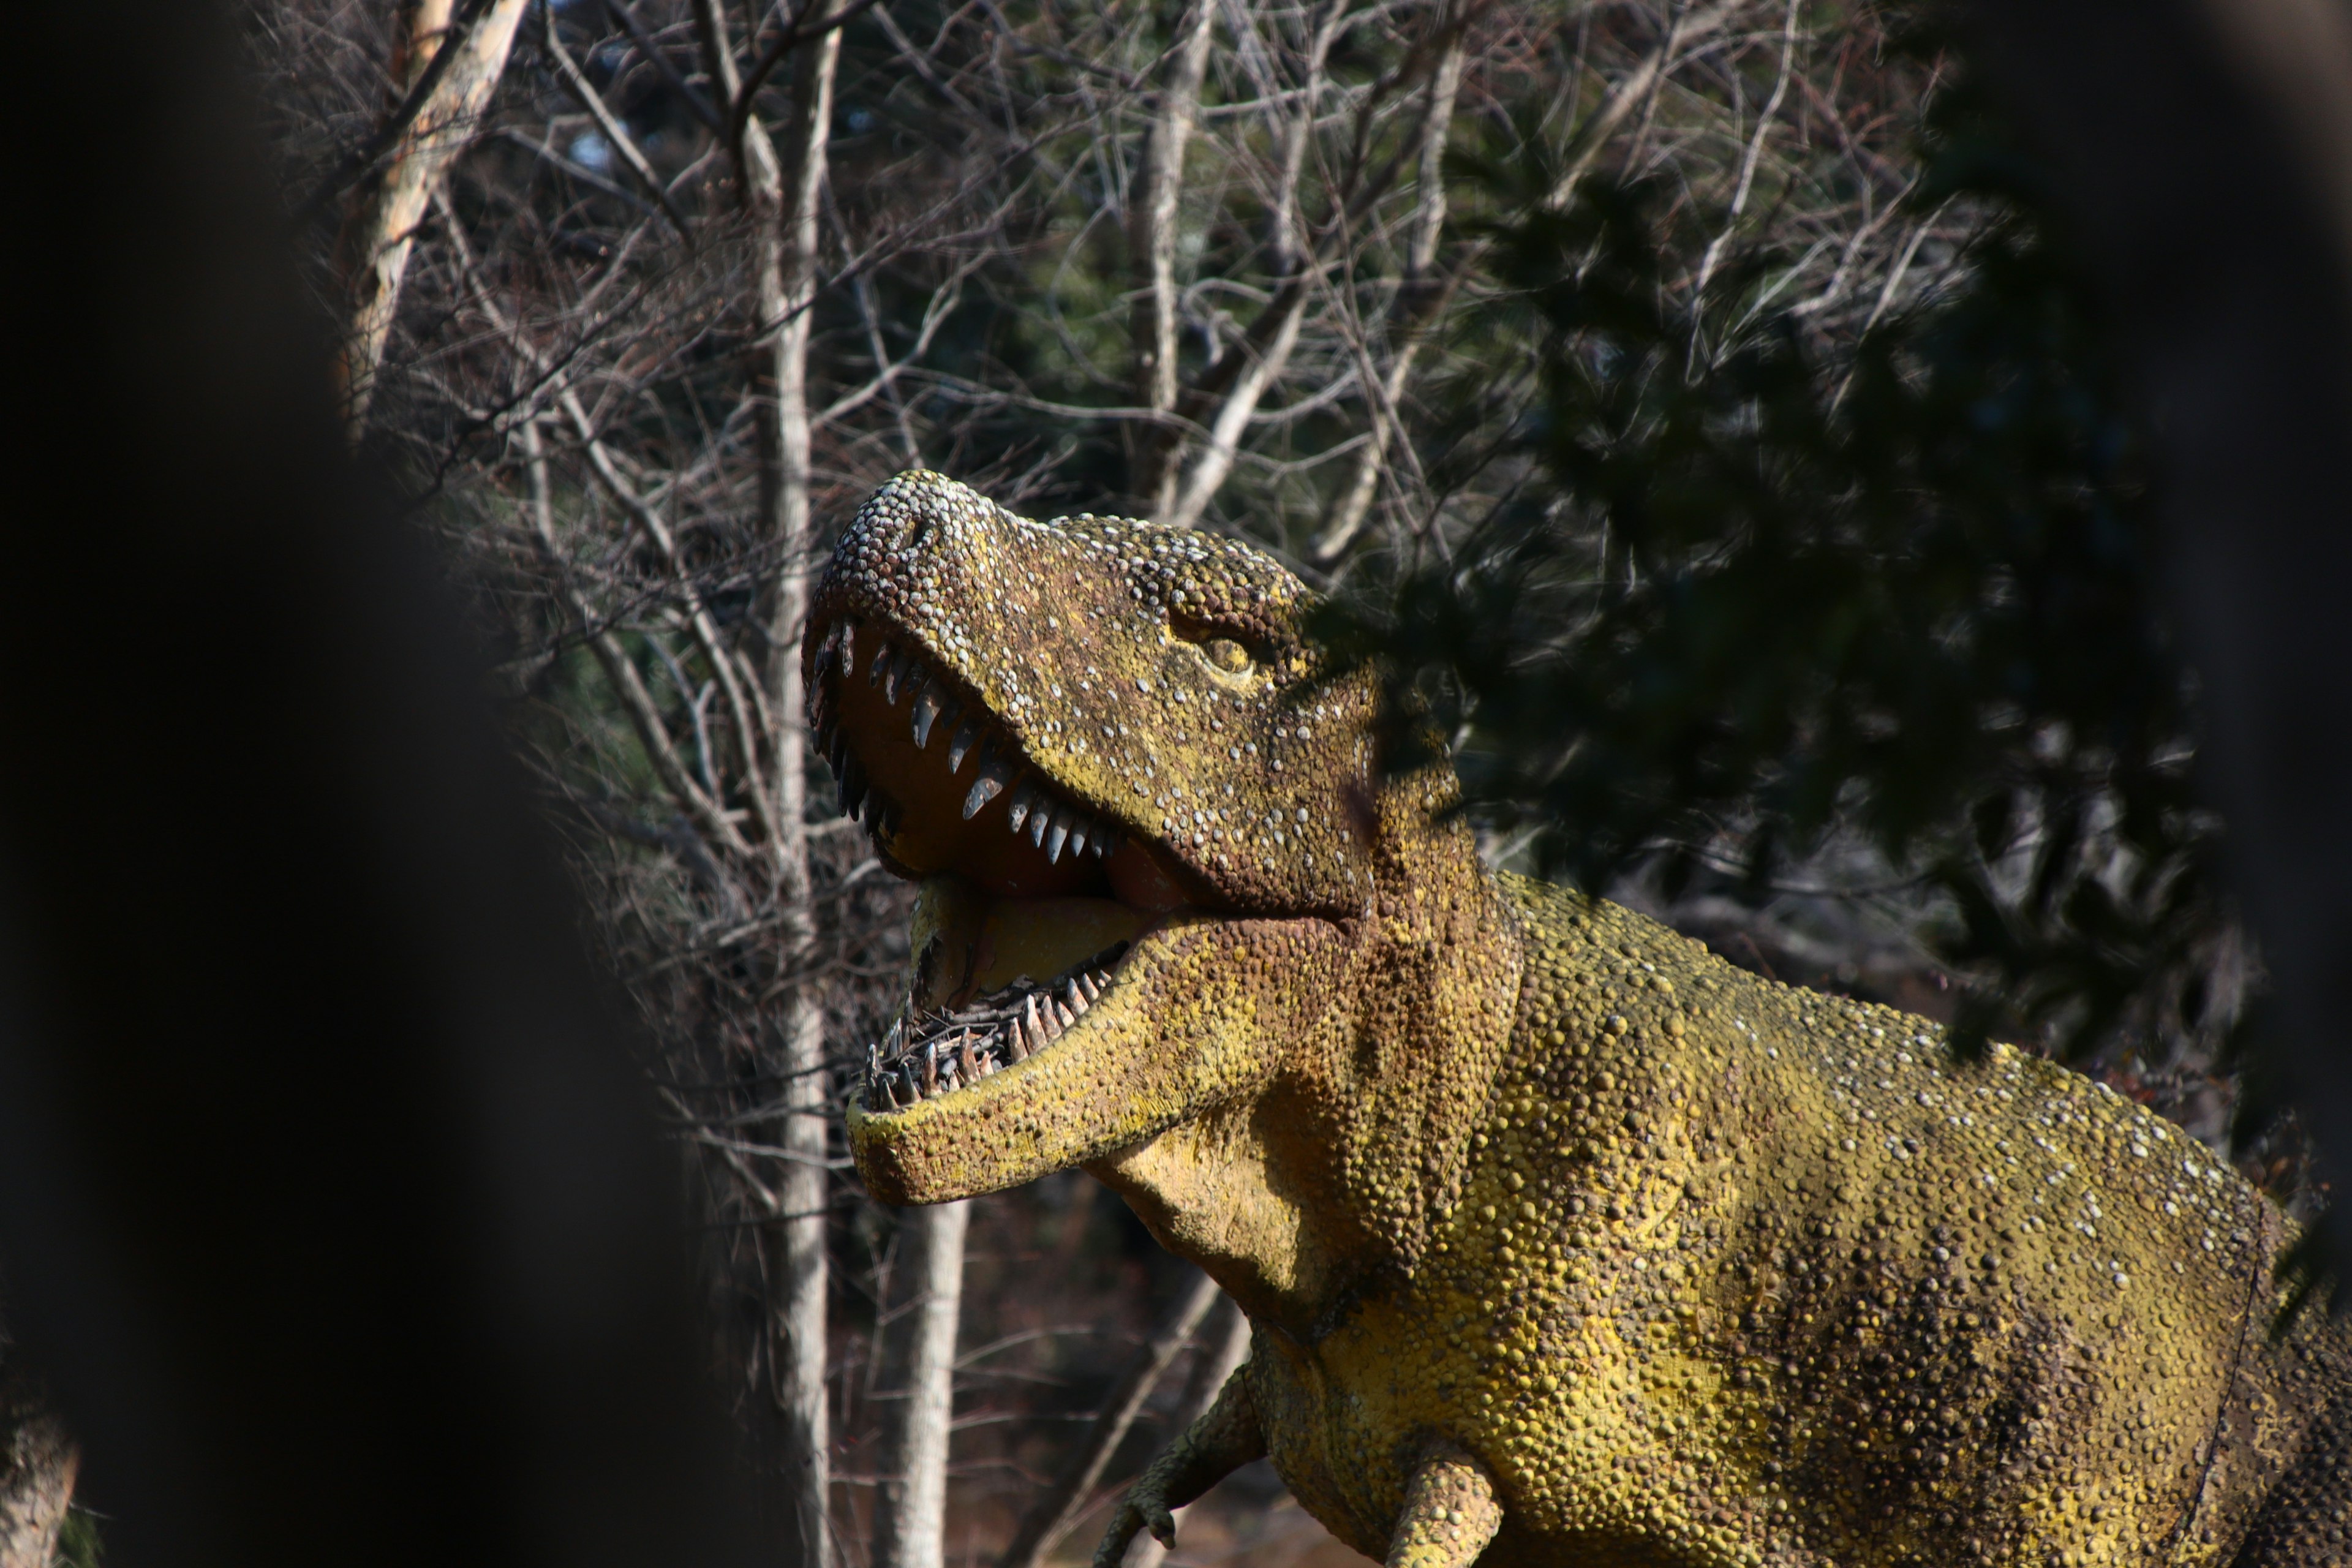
<point>2205,154</point>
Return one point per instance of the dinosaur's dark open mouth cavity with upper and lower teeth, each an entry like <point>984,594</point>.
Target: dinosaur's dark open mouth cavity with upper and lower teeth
<point>1031,897</point>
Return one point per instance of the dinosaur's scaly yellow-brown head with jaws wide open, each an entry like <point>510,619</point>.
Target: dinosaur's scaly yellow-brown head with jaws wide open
<point>1137,817</point>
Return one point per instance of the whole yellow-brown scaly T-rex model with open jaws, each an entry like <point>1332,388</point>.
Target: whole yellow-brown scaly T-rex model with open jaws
<point>1563,1242</point>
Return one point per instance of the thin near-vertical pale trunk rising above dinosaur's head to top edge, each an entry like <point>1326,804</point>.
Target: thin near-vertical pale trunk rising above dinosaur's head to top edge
<point>1151,246</point>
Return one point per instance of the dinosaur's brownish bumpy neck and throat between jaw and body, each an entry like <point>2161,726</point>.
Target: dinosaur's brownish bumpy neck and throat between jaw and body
<point>1332,1174</point>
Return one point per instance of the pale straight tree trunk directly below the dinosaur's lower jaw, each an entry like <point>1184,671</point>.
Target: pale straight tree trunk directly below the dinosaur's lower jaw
<point>914,1520</point>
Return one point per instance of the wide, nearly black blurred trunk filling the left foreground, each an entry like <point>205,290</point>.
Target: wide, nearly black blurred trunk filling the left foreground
<point>330,1207</point>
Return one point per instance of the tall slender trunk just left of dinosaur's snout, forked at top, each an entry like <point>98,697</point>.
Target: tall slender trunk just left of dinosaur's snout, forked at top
<point>782,189</point>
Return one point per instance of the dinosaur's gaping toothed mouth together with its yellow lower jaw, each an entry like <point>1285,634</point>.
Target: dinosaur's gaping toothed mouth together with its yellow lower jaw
<point>1071,984</point>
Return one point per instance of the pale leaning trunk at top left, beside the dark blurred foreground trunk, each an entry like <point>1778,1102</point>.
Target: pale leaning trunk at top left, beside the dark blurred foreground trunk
<point>387,232</point>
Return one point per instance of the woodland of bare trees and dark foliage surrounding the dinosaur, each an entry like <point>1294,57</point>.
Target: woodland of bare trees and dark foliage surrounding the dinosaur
<point>1688,401</point>
